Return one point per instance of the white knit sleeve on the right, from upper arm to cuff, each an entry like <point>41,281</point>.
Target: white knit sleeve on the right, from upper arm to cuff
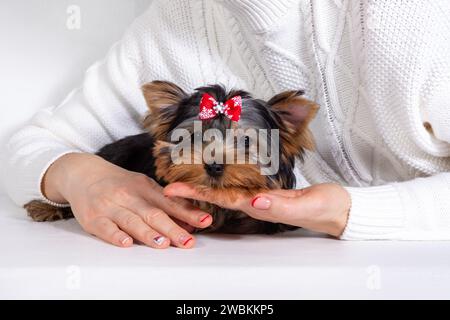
<point>407,73</point>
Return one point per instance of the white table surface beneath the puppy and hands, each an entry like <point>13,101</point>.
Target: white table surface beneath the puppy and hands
<point>58,260</point>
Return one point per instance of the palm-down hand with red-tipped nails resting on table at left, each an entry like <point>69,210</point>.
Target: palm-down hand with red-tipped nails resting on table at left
<point>118,206</point>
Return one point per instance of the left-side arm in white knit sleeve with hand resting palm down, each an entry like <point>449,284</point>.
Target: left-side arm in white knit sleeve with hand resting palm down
<point>51,159</point>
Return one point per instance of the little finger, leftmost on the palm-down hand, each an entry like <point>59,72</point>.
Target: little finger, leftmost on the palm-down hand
<point>108,231</point>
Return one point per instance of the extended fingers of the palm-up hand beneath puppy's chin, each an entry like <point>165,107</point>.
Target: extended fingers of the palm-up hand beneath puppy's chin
<point>188,191</point>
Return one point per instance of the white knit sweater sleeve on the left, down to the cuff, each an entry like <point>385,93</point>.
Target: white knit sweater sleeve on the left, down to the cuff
<point>108,106</point>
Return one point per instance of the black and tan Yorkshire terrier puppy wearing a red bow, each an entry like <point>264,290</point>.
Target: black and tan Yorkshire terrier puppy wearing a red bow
<point>181,127</point>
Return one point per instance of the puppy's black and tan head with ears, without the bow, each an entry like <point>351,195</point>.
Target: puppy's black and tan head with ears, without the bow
<point>256,152</point>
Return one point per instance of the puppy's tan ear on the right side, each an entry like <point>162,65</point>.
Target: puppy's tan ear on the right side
<point>296,113</point>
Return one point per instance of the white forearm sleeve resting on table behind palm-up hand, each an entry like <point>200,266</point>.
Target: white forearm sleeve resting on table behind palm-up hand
<point>418,209</point>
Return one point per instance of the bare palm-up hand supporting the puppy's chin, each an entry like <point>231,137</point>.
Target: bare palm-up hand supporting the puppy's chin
<point>321,208</point>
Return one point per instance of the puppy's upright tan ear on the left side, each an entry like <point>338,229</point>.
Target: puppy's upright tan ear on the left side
<point>162,99</point>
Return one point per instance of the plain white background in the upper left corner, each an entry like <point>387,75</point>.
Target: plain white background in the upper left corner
<point>41,60</point>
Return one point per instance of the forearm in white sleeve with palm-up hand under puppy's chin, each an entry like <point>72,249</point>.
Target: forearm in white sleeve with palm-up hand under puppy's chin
<point>415,210</point>
